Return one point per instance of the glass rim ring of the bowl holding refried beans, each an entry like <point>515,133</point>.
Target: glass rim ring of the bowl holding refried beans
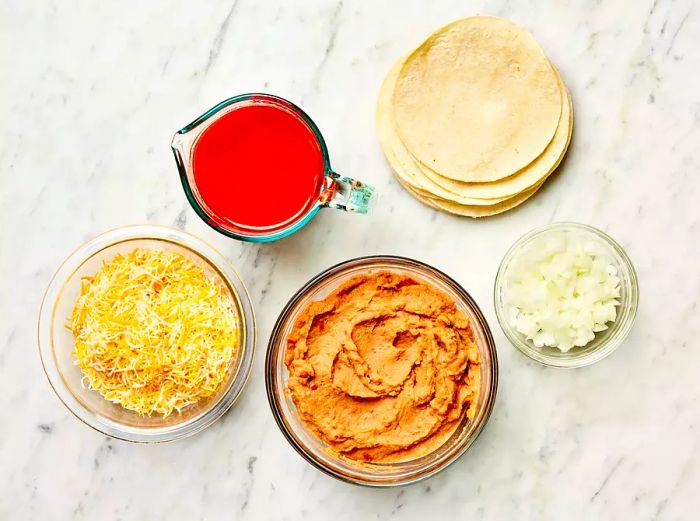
<point>415,475</point>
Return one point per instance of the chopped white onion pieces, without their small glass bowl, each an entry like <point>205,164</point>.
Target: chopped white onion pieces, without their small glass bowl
<point>561,290</point>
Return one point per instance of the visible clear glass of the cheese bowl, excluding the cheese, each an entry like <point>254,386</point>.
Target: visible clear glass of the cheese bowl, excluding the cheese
<point>56,341</point>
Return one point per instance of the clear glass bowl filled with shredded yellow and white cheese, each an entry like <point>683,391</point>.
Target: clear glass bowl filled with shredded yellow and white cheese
<point>149,364</point>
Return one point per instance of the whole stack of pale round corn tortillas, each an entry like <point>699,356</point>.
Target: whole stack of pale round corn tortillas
<point>475,119</point>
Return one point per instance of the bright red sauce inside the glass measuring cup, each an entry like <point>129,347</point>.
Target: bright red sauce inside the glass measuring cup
<point>258,166</point>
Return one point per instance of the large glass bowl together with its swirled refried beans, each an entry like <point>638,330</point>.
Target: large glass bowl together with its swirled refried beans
<point>381,371</point>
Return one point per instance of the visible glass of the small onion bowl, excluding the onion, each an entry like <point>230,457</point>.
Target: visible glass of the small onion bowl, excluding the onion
<point>605,342</point>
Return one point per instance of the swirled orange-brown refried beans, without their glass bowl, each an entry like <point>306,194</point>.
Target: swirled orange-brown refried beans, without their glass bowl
<point>384,368</point>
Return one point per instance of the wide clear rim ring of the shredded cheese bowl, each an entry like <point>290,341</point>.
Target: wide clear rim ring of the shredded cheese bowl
<point>208,254</point>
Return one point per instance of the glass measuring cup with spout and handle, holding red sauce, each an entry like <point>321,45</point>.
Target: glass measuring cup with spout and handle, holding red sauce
<point>255,150</point>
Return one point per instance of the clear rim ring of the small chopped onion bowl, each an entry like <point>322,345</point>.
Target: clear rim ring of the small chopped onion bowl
<point>573,361</point>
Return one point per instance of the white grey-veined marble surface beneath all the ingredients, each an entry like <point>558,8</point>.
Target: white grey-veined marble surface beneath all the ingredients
<point>93,91</point>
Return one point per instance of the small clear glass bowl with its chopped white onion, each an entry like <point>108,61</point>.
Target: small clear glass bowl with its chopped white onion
<point>566,295</point>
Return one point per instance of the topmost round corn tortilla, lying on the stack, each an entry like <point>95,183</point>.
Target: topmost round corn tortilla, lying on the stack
<point>478,100</point>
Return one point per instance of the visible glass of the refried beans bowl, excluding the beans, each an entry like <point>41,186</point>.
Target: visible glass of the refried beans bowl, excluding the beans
<point>316,451</point>
